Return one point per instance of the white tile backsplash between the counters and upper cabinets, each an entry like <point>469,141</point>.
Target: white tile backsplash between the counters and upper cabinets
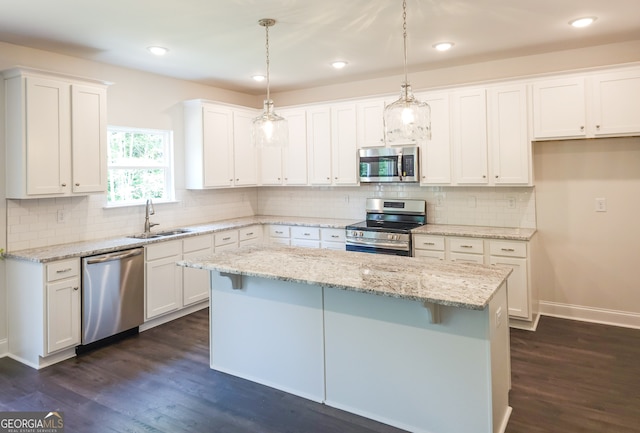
<point>44,222</point>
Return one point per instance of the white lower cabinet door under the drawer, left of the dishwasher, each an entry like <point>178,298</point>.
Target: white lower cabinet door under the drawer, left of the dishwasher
<point>63,314</point>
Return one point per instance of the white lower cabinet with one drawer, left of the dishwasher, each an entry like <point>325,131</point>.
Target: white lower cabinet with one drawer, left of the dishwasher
<point>44,304</point>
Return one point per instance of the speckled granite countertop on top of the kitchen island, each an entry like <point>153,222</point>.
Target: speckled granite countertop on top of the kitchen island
<point>463,285</point>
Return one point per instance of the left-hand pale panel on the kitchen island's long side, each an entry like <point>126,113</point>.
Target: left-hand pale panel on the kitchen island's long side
<point>269,332</point>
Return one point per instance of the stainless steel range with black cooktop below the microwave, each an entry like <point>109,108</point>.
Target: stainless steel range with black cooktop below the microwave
<point>387,229</point>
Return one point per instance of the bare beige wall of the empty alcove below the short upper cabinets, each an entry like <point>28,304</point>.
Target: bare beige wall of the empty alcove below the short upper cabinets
<point>588,262</point>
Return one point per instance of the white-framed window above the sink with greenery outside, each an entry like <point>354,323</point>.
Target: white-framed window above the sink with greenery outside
<point>140,166</point>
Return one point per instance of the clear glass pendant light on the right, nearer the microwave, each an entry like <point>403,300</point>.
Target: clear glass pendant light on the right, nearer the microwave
<point>407,120</point>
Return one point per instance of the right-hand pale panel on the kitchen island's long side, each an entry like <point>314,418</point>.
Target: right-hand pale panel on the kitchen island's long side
<point>385,360</point>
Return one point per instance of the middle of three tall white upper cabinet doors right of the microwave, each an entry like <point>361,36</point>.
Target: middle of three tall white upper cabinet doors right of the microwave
<point>470,137</point>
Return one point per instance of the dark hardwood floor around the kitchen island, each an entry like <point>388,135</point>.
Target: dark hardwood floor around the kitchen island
<point>567,377</point>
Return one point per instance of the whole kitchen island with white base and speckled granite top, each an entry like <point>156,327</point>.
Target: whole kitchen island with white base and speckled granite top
<point>418,344</point>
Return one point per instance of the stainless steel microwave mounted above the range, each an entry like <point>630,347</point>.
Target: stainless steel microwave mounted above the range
<point>389,164</point>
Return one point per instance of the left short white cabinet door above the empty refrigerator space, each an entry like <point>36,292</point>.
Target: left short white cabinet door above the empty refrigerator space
<point>559,109</point>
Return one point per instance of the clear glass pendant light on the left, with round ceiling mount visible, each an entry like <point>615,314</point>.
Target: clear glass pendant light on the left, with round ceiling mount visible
<point>269,129</point>
